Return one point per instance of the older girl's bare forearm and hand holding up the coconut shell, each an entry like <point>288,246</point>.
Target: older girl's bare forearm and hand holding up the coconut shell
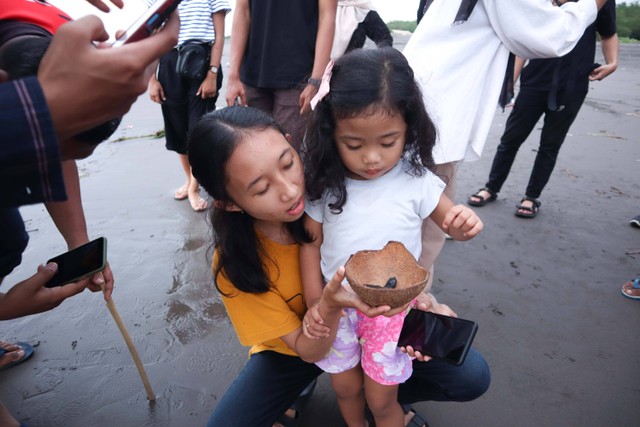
<point>333,299</point>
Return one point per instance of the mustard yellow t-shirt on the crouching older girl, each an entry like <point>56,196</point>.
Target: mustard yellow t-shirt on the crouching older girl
<point>261,319</point>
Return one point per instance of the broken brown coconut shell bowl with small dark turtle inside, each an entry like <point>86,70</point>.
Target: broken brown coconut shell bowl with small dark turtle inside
<point>389,276</point>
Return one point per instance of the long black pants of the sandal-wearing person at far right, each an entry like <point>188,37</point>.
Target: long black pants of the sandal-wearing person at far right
<point>530,105</point>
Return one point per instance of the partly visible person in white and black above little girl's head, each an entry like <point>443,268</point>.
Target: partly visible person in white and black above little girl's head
<point>355,21</point>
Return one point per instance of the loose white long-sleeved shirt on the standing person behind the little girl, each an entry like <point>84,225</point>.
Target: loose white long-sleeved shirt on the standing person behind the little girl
<point>460,68</point>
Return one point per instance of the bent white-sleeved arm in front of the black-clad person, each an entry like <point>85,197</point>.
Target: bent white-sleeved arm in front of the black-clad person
<point>538,29</point>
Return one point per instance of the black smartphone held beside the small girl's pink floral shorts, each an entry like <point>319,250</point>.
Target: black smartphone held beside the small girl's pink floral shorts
<point>441,337</point>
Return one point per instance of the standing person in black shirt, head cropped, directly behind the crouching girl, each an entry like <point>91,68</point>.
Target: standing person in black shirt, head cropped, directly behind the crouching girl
<point>279,49</point>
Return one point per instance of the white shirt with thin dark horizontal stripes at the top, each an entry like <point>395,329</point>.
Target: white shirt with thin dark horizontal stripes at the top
<point>195,19</point>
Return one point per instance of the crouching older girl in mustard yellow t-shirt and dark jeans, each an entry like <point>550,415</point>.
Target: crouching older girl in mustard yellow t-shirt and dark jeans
<point>245,162</point>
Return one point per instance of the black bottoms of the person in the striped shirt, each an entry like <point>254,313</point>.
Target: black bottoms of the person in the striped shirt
<point>182,108</point>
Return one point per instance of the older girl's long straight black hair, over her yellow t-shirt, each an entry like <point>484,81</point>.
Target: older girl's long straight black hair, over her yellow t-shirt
<point>241,257</point>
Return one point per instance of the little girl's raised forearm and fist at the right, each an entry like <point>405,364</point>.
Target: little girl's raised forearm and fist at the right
<point>459,221</point>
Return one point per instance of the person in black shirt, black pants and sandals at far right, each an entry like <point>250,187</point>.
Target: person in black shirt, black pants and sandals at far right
<point>555,87</point>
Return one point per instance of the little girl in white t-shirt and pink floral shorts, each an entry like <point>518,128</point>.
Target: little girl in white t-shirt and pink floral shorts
<point>366,157</point>
